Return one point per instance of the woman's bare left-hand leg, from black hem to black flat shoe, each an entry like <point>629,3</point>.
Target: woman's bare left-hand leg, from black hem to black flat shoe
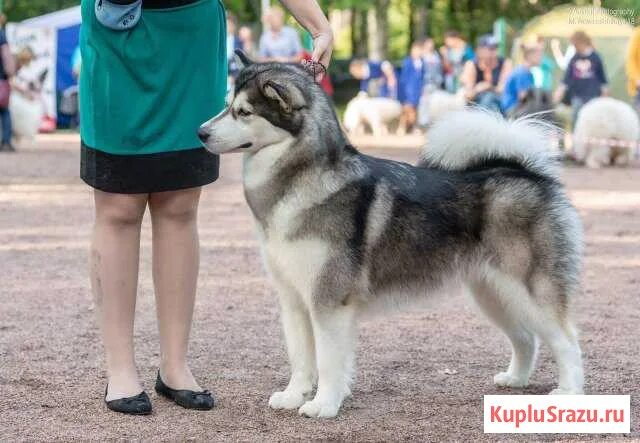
<point>114,260</point>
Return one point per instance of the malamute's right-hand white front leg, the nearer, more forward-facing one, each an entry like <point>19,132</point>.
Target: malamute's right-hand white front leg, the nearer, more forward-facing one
<point>335,333</point>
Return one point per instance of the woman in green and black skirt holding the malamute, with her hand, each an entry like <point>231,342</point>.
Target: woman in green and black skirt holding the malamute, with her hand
<point>153,71</point>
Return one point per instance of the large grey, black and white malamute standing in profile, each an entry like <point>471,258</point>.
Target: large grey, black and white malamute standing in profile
<point>342,232</point>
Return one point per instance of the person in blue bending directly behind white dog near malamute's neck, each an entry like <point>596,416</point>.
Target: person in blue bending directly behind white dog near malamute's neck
<point>378,79</point>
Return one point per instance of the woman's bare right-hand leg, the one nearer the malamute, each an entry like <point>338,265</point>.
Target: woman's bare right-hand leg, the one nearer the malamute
<point>176,259</point>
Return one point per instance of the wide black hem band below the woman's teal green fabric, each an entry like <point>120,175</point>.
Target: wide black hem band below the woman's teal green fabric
<point>142,174</point>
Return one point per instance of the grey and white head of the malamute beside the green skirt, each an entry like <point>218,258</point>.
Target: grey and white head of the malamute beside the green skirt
<point>271,103</point>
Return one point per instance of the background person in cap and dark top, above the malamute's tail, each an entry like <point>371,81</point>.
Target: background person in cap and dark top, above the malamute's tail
<point>484,78</point>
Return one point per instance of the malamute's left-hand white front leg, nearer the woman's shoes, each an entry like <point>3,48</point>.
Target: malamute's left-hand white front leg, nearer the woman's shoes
<point>300,348</point>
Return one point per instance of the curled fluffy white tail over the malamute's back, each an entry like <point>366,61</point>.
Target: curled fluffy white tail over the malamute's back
<point>473,137</point>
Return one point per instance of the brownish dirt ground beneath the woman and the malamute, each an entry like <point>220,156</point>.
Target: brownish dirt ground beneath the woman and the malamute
<point>51,375</point>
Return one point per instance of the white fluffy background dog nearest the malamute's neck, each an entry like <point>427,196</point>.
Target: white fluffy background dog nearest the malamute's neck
<point>376,112</point>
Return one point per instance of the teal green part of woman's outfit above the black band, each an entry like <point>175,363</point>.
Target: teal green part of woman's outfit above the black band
<point>148,89</point>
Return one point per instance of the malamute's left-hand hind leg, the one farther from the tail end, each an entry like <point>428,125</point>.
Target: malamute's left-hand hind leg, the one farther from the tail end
<point>491,298</point>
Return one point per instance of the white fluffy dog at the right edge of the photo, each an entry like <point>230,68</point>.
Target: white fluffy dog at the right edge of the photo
<point>600,122</point>
